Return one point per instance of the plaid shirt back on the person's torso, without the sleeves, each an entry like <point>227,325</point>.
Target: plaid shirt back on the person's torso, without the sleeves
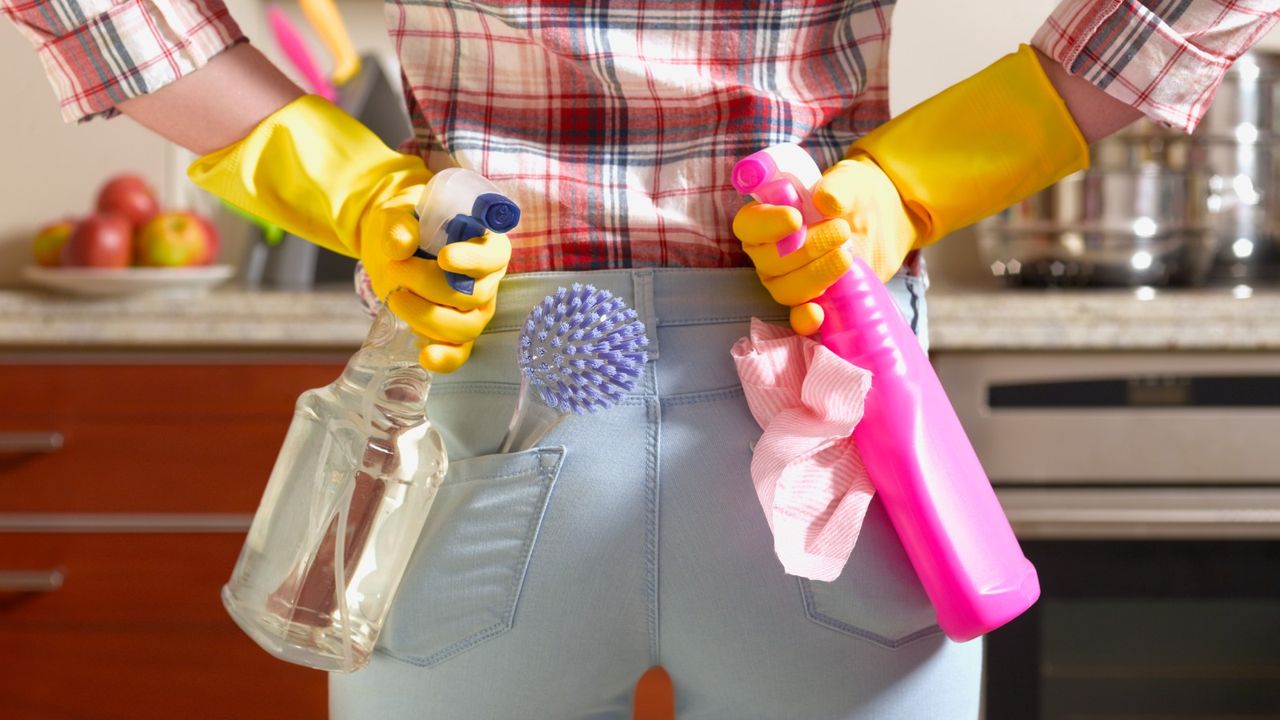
<point>615,125</point>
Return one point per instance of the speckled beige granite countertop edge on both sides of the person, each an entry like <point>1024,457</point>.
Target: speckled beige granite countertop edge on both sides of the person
<point>959,321</point>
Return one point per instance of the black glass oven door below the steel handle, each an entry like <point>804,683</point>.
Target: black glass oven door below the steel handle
<point>1144,630</point>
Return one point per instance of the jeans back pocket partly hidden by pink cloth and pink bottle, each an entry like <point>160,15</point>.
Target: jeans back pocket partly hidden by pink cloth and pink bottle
<point>877,598</point>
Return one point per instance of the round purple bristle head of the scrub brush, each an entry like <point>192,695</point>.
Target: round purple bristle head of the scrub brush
<point>583,349</point>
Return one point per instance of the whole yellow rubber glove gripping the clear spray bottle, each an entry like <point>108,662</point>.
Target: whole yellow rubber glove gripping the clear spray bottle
<point>321,175</point>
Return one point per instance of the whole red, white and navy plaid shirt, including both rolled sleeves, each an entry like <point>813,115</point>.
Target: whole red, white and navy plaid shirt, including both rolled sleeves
<point>615,125</point>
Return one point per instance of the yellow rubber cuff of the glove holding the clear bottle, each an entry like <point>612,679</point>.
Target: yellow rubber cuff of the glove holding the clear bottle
<point>310,168</point>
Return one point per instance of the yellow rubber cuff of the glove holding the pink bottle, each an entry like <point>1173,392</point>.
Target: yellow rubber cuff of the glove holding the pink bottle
<point>979,147</point>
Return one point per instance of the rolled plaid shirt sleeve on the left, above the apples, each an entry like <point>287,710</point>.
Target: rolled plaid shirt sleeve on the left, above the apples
<point>100,53</point>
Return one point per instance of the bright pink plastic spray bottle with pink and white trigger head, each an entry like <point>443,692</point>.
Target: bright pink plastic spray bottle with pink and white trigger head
<point>918,457</point>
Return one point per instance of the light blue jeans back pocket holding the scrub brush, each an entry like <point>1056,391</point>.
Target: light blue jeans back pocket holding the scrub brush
<point>467,575</point>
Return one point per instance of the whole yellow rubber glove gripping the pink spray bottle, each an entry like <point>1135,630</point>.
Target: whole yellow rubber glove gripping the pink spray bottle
<point>970,152</point>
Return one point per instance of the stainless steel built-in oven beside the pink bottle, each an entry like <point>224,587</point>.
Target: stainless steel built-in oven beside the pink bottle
<point>1146,490</point>
